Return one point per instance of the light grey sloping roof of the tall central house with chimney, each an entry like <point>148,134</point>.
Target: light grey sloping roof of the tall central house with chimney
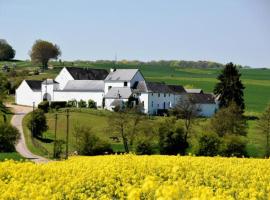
<point>121,75</point>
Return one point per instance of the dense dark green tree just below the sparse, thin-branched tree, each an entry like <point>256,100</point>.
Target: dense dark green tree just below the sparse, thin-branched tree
<point>171,138</point>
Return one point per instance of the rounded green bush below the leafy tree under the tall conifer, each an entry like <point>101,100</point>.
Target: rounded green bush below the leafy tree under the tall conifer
<point>233,145</point>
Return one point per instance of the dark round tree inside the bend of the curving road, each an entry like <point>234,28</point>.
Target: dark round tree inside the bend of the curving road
<point>37,123</point>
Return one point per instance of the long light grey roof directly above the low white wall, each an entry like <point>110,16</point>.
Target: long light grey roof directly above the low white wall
<point>84,85</point>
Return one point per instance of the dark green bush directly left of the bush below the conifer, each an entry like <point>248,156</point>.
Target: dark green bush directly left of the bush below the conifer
<point>208,144</point>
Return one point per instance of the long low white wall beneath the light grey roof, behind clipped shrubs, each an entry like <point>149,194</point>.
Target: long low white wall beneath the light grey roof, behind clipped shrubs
<point>78,95</point>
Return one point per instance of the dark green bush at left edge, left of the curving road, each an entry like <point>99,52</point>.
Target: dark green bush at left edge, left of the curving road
<point>9,136</point>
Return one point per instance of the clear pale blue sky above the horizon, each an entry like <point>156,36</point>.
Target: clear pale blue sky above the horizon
<point>222,31</point>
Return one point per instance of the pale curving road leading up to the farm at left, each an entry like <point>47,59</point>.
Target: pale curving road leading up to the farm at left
<point>21,148</point>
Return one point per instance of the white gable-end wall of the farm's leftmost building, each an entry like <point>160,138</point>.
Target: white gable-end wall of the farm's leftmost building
<point>26,96</point>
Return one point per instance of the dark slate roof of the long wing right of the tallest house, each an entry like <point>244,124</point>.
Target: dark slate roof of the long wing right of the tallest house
<point>157,87</point>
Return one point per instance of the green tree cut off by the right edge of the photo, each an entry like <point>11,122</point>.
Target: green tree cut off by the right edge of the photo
<point>264,127</point>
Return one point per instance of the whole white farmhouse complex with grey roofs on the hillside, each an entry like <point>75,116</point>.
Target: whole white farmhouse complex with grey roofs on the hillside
<point>109,90</point>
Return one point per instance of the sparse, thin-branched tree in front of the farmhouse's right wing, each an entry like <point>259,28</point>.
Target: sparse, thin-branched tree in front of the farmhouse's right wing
<point>187,110</point>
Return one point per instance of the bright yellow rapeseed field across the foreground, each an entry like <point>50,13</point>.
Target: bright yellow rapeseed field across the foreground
<point>137,177</point>
